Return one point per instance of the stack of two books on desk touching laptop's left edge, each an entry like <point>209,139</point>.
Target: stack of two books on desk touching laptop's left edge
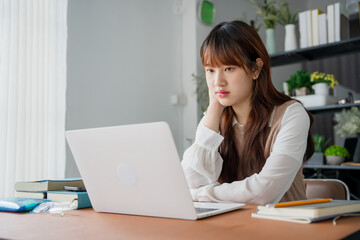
<point>64,190</point>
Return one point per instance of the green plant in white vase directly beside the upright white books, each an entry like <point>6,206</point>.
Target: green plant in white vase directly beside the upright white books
<point>289,21</point>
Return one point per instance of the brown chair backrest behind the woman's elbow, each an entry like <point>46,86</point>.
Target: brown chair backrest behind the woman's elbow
<point>326,188</point>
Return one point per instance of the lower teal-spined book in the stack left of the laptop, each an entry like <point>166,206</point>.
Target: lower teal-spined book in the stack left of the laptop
<point>81,199</point>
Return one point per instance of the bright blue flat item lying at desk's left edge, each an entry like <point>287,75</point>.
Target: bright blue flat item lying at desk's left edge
<point>19,204</point>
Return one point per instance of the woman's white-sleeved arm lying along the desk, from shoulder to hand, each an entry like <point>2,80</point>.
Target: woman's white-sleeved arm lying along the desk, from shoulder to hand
<point>278,172</point>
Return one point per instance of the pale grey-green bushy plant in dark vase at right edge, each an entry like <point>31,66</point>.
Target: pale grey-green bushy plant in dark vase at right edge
<point>348,125</point>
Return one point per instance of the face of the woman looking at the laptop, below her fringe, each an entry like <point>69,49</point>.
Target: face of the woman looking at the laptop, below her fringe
<point>231,85</point>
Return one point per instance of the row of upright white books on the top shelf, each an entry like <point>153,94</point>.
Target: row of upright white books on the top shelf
<point>318,27</point>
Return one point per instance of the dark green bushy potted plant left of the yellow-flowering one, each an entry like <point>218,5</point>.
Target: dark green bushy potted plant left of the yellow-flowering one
<point>300,82</point>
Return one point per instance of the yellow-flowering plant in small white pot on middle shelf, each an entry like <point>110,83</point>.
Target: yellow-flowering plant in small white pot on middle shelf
<point>322,81</point>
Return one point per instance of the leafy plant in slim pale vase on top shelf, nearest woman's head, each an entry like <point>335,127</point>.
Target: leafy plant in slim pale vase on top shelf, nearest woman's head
<point>270,15</point>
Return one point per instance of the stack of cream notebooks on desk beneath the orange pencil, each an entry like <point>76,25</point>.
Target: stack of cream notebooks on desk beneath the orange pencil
<point>308,213</point>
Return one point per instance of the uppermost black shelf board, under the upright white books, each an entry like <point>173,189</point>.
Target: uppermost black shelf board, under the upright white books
<point>318,52</point>
